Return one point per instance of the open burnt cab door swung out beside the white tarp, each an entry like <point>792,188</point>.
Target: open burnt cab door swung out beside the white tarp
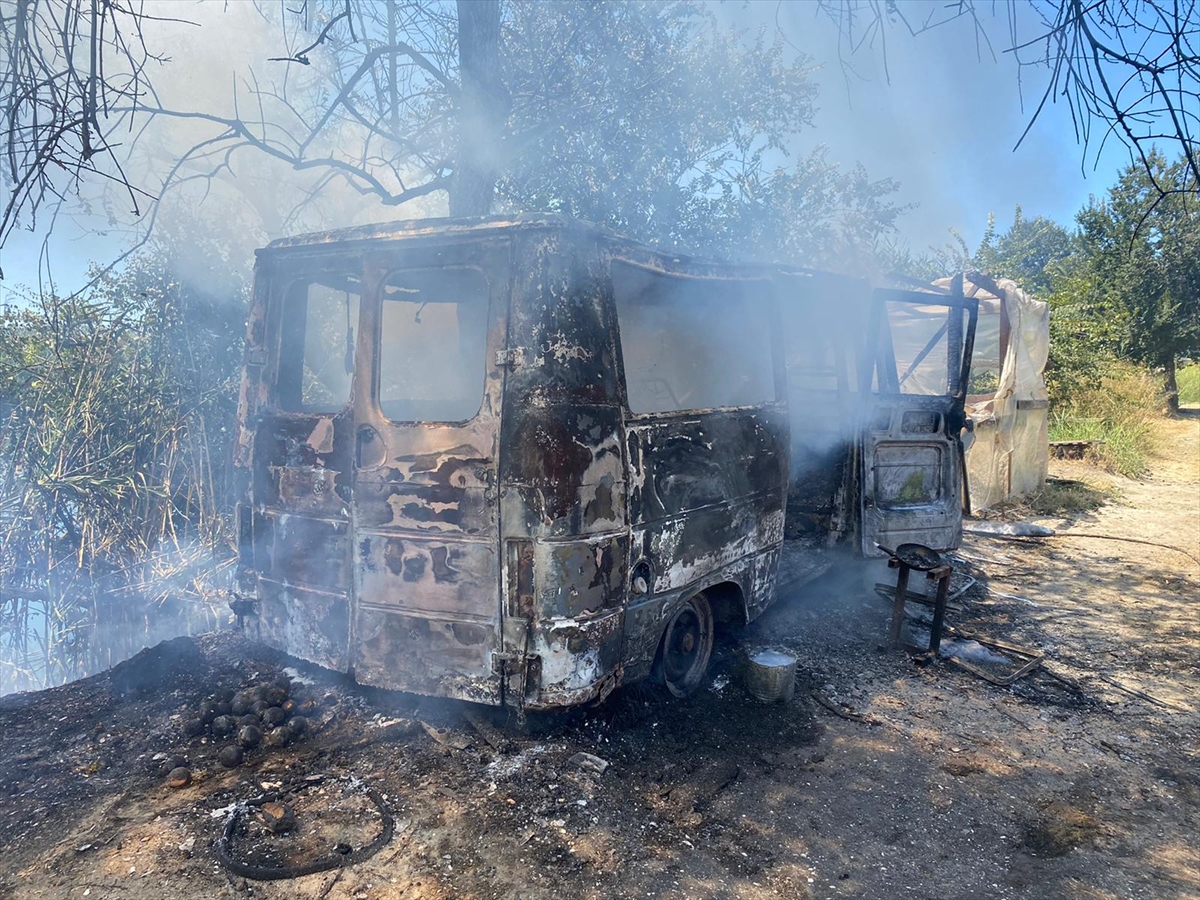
<point>913,458</point>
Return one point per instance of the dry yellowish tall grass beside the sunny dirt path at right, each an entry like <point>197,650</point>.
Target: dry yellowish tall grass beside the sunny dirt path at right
<point>1119,416</point>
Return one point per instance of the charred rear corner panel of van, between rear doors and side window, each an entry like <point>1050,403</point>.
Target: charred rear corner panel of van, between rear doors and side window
<point>563,476</point>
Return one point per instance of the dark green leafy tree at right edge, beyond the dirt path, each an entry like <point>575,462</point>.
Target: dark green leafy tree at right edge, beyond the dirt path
<point>1143,248</point>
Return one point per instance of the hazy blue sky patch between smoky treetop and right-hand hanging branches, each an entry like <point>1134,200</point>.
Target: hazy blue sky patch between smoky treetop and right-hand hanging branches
<point>941,112</point>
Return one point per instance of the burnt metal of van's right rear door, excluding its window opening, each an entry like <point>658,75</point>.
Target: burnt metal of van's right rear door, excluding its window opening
<point>427,495</point>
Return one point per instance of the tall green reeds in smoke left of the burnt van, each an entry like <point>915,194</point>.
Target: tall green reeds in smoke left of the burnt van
<point>118,409</point>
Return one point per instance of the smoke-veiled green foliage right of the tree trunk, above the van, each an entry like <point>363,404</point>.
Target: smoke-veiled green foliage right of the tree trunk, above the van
<point>673,129</point>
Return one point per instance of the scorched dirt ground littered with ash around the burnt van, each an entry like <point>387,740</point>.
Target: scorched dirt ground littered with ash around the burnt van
<point>883,778</point>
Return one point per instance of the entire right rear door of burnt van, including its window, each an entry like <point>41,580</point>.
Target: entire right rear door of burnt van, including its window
<point>428,418</point>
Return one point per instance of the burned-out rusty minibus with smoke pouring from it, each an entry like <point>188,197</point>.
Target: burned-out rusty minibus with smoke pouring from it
<point>525,461</point>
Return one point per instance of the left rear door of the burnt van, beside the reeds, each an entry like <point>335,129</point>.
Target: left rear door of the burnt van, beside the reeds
<point>297,441</point>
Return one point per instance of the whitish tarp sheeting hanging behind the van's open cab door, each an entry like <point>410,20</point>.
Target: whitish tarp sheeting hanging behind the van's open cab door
<point>1011,452</point>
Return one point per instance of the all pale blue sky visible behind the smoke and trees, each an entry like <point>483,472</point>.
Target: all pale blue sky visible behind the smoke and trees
<point>945,128</point>
